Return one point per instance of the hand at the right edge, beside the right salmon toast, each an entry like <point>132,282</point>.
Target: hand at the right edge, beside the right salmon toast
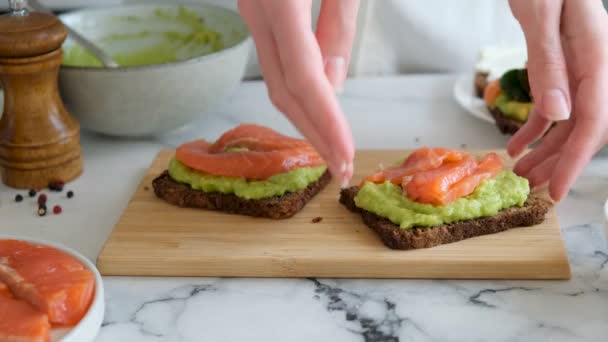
<point>567,44</point>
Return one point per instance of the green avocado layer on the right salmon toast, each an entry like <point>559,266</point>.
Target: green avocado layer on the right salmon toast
<point>492,195</point>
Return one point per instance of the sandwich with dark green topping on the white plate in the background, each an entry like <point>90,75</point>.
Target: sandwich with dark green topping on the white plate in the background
<point>509,100</point>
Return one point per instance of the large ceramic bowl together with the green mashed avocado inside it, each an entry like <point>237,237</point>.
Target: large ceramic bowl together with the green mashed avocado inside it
<point>176,62</point>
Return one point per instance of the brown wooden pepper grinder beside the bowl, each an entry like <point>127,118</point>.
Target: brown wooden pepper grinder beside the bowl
<point>39,139</point>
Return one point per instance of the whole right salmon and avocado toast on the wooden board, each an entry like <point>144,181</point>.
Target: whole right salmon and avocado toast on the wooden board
<point>438,196</point>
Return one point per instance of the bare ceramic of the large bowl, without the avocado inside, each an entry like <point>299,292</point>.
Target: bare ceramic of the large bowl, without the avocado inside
<point>151,99</point>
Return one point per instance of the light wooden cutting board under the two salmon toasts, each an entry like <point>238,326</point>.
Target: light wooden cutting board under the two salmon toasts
<point>157,239</point>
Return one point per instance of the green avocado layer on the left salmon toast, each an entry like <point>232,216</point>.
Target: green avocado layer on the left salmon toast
<point>276,185</point>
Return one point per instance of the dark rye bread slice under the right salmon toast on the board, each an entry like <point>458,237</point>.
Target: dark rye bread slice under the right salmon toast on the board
<point>532,213</point>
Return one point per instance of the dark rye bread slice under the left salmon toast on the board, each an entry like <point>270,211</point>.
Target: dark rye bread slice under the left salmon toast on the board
<point>278,207</point>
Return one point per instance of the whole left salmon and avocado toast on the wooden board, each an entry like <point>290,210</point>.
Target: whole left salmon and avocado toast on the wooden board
<point>250,170</point>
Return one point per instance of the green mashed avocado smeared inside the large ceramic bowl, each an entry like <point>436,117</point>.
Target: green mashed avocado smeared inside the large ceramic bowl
<point>165,36</point>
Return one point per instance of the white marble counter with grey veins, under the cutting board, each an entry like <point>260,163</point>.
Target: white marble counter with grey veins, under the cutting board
<point>400,112</point>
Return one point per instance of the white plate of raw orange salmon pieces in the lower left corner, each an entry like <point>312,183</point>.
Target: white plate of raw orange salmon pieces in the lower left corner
<point>48,292</point>
